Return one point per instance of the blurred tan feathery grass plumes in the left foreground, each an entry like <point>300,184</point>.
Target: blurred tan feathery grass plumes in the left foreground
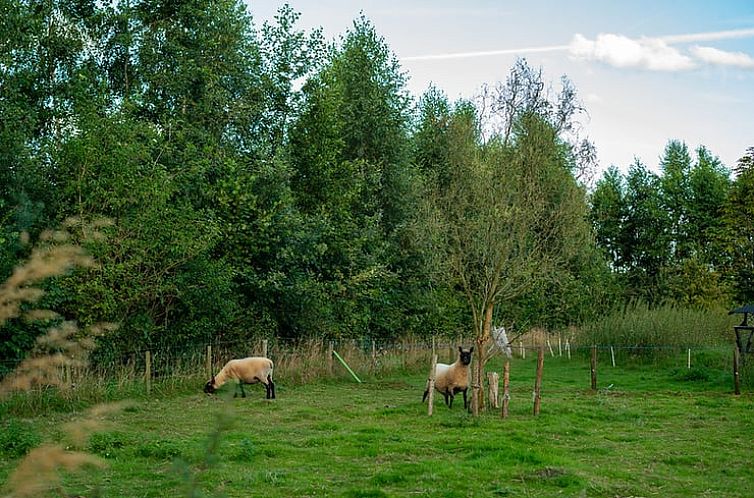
<point>62,348</point>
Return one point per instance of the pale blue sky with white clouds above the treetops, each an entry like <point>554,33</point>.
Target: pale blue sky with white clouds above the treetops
<point>646,71</point>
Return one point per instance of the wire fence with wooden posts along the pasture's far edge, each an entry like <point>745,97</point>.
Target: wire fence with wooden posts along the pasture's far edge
<point>143,371</point>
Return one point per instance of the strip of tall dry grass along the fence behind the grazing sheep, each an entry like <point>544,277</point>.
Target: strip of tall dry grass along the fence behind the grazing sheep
<point>180,372</point>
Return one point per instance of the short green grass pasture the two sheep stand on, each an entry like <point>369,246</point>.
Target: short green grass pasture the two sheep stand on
<point>647,431</point>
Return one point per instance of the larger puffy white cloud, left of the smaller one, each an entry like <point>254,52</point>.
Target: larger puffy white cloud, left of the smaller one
<point>624,52</point>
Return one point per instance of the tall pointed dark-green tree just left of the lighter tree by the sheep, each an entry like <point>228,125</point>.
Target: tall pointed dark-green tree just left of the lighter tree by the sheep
<point>352,178</point>
